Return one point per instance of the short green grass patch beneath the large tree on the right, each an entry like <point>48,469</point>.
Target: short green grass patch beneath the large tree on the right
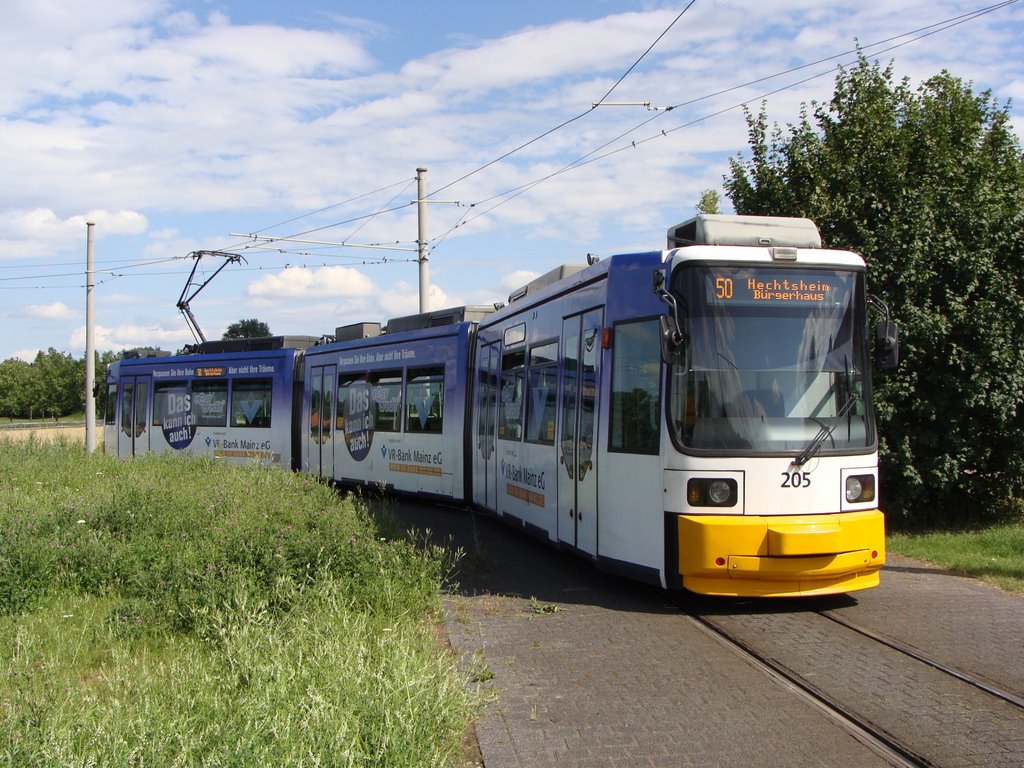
<point>995,554</point>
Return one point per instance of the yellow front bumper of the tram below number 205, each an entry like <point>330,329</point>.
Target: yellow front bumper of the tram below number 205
<point>782,557</point>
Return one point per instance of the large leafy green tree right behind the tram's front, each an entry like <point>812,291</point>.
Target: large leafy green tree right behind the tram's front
<point>928,185</point>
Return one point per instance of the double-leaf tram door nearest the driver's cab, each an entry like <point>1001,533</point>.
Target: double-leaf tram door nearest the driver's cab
<point>578,434</point>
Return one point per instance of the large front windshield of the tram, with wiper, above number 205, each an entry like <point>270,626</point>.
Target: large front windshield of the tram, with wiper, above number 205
<point>774,361</point>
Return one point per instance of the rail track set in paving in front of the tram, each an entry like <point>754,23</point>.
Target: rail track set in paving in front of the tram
<point>910,709</point>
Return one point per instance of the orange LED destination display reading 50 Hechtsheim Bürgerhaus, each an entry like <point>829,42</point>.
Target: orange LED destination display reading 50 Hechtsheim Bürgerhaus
<point>747,288</point>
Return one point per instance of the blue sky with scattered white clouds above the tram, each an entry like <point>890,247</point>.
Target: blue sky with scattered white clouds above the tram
<point>175,125</point>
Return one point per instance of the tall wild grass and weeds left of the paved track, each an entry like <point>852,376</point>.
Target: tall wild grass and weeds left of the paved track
<point>180,613</point>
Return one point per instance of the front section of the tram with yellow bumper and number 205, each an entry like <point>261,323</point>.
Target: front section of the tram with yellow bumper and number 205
<point>696,417</point>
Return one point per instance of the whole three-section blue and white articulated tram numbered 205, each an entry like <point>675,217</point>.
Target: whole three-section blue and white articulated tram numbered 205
<point>698,417</point>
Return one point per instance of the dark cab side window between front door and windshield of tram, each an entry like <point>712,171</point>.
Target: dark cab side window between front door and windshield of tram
<point>636,378</point>
